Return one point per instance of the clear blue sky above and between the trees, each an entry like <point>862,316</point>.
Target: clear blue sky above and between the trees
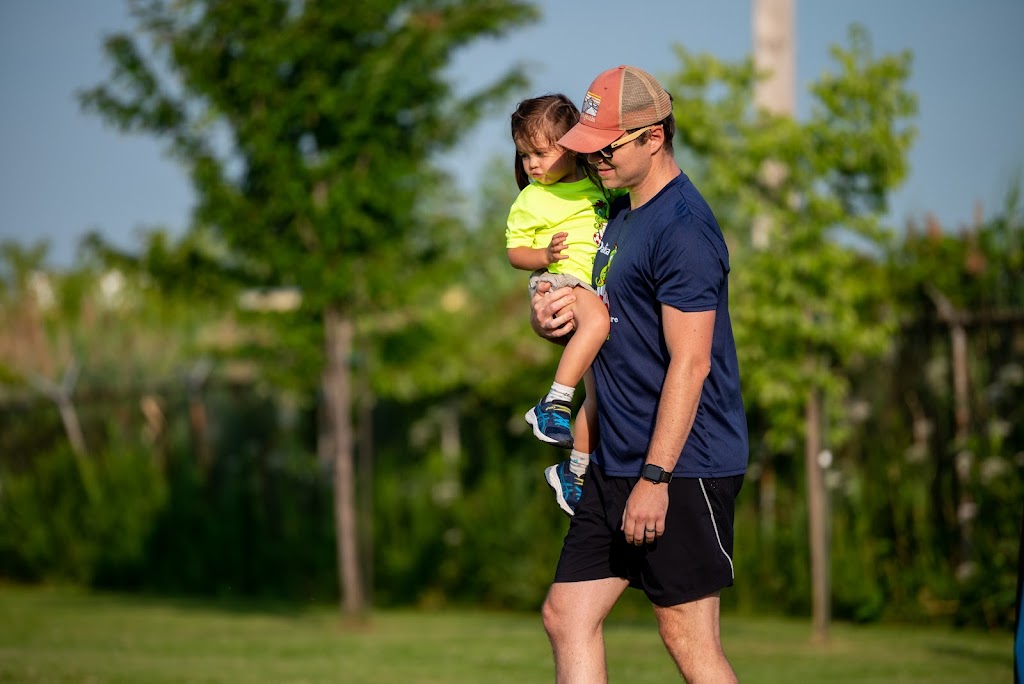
<point>64,174</point>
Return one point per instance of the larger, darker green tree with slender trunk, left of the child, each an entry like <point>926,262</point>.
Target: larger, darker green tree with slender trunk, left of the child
<point>309,131</point>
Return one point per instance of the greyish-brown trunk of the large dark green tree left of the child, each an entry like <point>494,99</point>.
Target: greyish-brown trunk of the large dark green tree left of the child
<point>338,332</point>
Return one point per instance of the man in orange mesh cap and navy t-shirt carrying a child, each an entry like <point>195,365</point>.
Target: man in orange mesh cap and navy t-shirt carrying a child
<point>657,510</point>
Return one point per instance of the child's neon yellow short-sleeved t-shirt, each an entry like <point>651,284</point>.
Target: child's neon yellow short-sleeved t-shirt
<point>578,208</point>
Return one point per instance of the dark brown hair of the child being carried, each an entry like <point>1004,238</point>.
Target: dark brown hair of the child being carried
<point>546,119</point>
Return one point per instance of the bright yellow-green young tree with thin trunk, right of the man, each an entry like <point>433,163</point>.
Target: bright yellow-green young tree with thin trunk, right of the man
<point>810,308</point>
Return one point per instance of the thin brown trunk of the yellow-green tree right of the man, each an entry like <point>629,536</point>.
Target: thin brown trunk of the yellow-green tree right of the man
<point>817,516</point>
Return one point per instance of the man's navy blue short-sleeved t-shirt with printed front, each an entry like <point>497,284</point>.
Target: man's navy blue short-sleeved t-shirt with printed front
<point>669,251</point>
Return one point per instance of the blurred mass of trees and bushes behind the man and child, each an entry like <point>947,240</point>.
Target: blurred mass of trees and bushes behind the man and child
<point>317,393</point>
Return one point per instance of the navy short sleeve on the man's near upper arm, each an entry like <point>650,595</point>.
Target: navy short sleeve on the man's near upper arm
<point>690,267</point>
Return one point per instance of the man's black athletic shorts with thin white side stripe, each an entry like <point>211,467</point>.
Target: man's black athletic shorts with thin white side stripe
<point>692,561</point>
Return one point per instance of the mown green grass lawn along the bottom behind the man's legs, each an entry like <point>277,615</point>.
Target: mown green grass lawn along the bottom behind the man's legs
<point>63,635</point>
